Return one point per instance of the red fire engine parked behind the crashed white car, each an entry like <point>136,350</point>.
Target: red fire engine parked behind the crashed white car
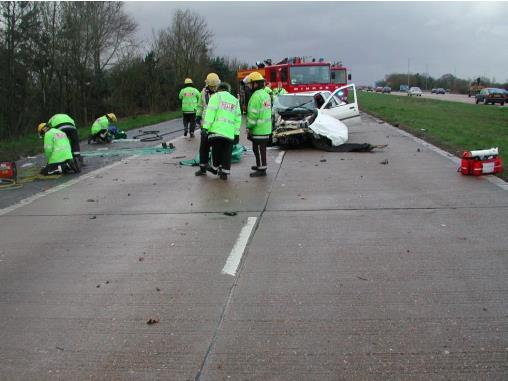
<point>296,75</point>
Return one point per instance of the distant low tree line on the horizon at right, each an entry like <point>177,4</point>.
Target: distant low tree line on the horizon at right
<point>446,81</point>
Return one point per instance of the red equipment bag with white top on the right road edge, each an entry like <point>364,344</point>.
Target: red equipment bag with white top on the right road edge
<point>481,162</point>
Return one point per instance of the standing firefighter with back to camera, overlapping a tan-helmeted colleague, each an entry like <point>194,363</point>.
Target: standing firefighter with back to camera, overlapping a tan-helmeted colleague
<point>222,122</point>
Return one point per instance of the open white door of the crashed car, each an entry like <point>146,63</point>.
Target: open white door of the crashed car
<point>346,111</point>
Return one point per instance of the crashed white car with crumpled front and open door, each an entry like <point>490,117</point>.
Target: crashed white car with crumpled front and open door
<point>316,117</point>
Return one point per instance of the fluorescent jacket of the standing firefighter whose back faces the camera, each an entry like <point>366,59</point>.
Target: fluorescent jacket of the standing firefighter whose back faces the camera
<point>223,116</point>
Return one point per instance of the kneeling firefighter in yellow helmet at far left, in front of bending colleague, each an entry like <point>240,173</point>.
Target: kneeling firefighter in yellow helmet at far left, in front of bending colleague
<point>57,150</point>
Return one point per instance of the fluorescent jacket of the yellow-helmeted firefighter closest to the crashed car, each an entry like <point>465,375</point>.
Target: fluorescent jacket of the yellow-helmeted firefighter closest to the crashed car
<point>259,113</point>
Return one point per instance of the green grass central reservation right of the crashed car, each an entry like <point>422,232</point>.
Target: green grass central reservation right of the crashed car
<point>452,126</point>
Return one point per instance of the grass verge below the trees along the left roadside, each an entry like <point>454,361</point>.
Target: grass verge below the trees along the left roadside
<point>14,149</point>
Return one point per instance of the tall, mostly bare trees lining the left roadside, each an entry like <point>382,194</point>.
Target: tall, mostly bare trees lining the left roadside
<point>82,58</point>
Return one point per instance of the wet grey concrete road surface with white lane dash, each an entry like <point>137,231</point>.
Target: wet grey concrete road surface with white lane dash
<point>335,266</point>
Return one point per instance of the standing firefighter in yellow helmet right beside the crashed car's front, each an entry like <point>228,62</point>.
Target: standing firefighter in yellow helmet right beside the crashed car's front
<point>259,122</point>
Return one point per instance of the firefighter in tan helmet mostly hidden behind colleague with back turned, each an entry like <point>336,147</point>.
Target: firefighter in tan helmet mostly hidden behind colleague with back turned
<point>212,82</point>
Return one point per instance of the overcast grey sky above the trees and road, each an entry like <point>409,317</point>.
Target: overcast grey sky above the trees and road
<point>370,38</point>
